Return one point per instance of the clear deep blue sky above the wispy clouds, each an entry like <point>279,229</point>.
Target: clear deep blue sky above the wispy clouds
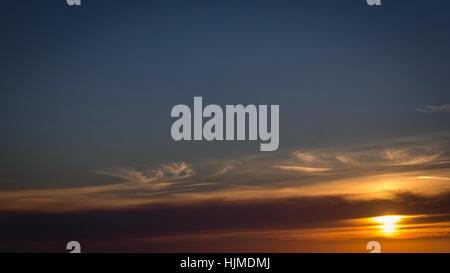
<point>91,87</point>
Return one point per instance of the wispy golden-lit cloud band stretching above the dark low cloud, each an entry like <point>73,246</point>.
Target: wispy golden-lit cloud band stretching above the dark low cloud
<point>373,170</point>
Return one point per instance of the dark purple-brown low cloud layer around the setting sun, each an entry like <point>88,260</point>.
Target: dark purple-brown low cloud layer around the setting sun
<point>147,227</point>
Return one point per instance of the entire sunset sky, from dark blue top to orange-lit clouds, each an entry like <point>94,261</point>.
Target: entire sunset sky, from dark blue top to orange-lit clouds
<point>86,151</point>
